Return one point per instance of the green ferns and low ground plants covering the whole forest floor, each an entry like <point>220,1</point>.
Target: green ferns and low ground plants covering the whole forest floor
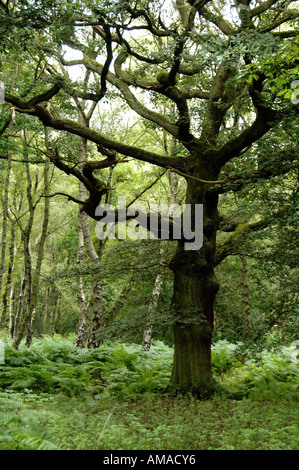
<point>55,396</point>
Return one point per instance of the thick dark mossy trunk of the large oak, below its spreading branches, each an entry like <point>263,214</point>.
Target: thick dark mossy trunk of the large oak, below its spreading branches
<point>195,289</point>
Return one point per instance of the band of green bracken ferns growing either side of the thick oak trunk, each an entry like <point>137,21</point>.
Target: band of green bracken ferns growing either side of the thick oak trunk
<point>53,365</point>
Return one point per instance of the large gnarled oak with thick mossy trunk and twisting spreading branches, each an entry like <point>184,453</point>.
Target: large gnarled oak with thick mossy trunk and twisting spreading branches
<point>203,59</point>
